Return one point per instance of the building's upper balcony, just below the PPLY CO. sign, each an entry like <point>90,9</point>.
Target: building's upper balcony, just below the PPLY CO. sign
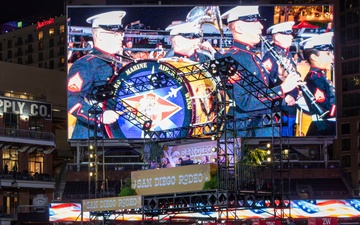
<point>27,137</point>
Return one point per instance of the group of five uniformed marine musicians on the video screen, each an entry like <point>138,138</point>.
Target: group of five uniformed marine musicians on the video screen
<point>245,24</point>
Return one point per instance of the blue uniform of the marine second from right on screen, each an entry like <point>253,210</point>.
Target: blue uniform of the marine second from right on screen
<point>289,112</point>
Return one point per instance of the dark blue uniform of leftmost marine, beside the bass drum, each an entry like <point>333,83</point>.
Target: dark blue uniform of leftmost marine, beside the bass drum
<point>86,73</point>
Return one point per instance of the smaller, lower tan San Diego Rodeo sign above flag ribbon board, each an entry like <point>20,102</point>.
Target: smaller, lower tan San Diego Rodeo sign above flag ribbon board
<point>118,203</point>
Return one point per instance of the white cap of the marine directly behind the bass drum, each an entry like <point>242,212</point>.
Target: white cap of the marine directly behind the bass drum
<point>185,28</point>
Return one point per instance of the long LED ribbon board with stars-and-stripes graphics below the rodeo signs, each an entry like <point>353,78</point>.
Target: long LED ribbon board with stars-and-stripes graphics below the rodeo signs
<point>327,213</point>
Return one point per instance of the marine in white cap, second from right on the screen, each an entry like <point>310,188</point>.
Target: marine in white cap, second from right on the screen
<point>282,36</point>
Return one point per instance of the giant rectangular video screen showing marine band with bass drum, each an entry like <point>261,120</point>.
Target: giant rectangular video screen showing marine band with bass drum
<point>135,69</point>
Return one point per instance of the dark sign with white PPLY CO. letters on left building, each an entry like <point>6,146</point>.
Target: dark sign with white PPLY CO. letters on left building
<point>25,108</point>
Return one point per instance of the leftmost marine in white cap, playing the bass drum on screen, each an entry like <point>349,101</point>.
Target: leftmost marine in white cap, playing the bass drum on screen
<point>95,69</point>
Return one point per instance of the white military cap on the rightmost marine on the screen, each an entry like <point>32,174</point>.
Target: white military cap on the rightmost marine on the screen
<point>322,42</point>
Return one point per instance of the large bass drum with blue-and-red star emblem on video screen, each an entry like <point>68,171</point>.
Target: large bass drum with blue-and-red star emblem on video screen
<point>163,92</point>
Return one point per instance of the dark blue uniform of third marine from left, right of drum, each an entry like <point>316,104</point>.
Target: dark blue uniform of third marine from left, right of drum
<point>248,105</point>
